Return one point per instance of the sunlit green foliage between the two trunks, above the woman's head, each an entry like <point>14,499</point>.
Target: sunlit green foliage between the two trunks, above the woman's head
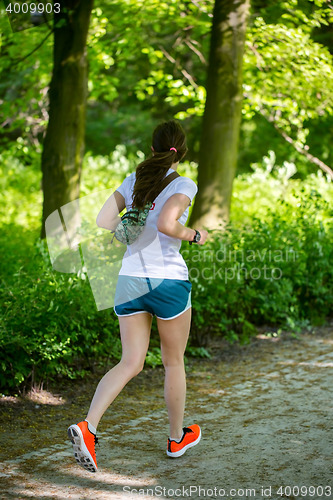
<point>147,63</point>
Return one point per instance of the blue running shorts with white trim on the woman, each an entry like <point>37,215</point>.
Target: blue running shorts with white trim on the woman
<point>163,298</point>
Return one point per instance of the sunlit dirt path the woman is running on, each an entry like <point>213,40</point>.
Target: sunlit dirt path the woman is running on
<point>265,409</point>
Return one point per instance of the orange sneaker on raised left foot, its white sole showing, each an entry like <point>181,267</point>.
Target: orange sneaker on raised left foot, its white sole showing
<point>83,441</point>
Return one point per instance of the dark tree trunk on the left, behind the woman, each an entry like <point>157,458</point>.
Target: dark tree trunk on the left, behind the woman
<point>64,141</point>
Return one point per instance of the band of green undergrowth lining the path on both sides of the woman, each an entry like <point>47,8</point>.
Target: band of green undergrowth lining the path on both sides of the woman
<point>49,325</point>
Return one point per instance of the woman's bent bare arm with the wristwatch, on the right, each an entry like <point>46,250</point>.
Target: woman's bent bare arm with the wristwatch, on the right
<point>168,222</point>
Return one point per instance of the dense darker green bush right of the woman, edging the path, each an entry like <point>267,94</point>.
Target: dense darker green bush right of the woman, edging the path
<point>275,271</point>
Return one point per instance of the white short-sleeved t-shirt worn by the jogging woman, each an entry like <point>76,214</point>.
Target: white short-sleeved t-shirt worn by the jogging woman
<point>154,254</point>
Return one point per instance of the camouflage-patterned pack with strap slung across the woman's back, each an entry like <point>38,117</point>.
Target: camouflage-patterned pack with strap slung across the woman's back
<point>133,222</point>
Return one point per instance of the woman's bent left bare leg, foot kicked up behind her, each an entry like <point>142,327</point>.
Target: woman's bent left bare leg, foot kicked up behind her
<point>135,334</point>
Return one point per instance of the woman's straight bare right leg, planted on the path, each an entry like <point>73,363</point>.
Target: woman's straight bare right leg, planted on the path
<point>174,335</point>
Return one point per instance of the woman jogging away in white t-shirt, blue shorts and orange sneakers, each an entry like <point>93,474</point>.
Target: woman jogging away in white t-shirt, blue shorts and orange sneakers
<point>153,281</point>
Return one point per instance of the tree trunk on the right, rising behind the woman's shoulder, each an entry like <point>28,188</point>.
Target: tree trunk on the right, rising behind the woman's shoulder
<point>222,117</point>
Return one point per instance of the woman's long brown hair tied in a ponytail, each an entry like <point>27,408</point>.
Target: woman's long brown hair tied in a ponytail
<point>151,172</point>
